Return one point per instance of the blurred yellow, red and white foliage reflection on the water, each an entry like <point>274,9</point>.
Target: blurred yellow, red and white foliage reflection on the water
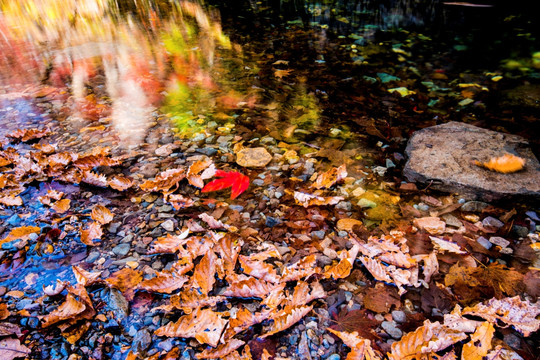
<point>113,62</point>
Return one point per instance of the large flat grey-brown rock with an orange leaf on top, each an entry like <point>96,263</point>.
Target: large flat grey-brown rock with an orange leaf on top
<point>444,156</point>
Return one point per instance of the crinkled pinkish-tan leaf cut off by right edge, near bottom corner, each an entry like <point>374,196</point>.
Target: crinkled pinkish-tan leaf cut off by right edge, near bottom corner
<point>511,311</point>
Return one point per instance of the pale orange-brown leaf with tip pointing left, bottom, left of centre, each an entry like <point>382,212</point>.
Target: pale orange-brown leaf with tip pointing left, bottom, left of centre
<point>204,325</point>
